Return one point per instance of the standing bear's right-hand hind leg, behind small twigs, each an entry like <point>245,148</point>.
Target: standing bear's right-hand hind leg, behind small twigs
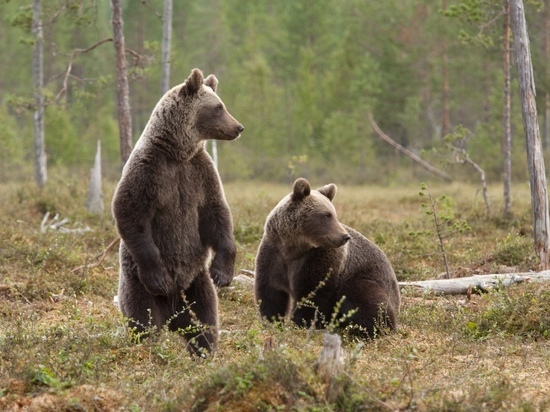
<point>197,315</point>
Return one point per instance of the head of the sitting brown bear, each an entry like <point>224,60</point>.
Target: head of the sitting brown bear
<point>306,218</point>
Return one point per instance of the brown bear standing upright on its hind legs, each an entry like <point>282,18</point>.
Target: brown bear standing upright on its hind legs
<point>171,214</point>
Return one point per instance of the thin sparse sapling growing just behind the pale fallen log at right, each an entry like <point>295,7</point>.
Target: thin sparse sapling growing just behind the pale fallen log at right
<point>441,212</point>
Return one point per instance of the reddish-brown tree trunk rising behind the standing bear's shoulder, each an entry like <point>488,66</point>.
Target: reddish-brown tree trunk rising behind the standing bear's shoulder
<point>122,89</point>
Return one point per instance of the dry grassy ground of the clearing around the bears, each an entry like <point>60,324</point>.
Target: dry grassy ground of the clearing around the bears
<point>63,346</point>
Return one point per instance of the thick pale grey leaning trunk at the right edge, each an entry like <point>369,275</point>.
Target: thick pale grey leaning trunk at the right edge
<point>535,160</point>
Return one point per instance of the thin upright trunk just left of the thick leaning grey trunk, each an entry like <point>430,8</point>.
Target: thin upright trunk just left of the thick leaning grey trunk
<point>506,125</point>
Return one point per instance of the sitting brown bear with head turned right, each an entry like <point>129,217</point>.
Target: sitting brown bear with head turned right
<point>306,254</point>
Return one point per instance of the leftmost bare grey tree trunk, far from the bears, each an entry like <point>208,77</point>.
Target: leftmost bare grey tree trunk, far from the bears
<point>38,76</point>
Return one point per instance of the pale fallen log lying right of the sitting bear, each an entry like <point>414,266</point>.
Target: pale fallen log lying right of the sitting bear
<point>476,283</point>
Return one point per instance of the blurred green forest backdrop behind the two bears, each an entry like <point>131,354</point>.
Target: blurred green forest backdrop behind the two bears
<point>301,76</point>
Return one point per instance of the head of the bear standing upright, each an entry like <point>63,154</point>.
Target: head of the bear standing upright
<point>208,116</point>
